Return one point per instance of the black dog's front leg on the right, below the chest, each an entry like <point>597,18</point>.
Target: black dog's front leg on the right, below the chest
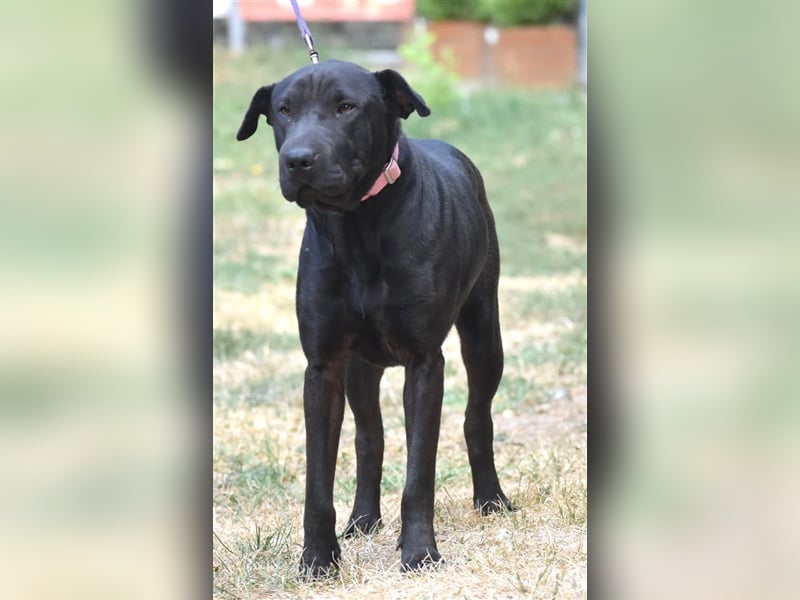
<point>422,401</point>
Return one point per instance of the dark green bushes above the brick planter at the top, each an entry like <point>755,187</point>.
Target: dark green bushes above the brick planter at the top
<point>499,12</point>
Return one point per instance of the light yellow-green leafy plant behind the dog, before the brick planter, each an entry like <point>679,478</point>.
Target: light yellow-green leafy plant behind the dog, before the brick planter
<point>435,81</point>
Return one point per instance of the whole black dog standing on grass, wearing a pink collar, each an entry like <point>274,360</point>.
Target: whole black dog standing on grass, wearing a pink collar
<point>399,245</point>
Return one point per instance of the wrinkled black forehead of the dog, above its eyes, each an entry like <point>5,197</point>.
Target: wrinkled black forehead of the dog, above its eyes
<point>328,80</point>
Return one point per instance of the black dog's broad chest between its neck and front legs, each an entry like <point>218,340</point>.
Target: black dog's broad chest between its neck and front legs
<point>375,290</point>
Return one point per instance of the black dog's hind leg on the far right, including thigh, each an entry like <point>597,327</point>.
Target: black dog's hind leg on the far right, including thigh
<point>478,327</point>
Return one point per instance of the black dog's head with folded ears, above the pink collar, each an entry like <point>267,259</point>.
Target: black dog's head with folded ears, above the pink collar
<point>335,126</point>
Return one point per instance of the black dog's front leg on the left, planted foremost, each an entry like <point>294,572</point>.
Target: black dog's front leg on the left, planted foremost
<point>323,402</point>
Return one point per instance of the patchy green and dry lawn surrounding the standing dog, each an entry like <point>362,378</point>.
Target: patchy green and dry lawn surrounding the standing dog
<point>531,148</point>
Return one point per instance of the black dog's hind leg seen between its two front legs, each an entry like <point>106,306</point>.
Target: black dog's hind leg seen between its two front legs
<point>363,389</point>
